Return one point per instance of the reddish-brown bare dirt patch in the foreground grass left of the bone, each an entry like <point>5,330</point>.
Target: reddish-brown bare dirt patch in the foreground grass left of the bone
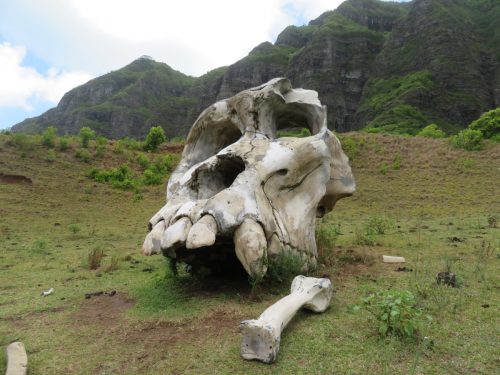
<point>103,309</point>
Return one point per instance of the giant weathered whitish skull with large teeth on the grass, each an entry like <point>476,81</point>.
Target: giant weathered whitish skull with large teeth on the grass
<point>240,190</point>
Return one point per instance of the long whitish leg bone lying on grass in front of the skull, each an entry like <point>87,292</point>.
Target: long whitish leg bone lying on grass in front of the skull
<point>261,337</point>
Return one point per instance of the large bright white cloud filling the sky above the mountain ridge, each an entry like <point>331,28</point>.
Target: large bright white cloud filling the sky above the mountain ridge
<point>192,36</point>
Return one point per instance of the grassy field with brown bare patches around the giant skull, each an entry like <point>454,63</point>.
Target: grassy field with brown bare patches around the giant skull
<point>416,198</point>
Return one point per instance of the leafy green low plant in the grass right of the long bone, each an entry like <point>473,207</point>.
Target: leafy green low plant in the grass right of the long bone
<point>395,312</point>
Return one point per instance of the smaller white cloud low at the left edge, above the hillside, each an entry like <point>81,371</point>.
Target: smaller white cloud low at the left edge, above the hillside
<point>20,85</point>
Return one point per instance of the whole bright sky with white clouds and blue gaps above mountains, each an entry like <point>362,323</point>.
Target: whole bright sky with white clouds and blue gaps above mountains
<point>48,47</point>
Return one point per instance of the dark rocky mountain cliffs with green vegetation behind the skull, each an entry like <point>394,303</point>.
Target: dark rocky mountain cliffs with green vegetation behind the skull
<point>392,67</point>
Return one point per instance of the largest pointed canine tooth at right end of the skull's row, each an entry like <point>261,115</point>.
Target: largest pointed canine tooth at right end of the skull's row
<point>251,246</point>
